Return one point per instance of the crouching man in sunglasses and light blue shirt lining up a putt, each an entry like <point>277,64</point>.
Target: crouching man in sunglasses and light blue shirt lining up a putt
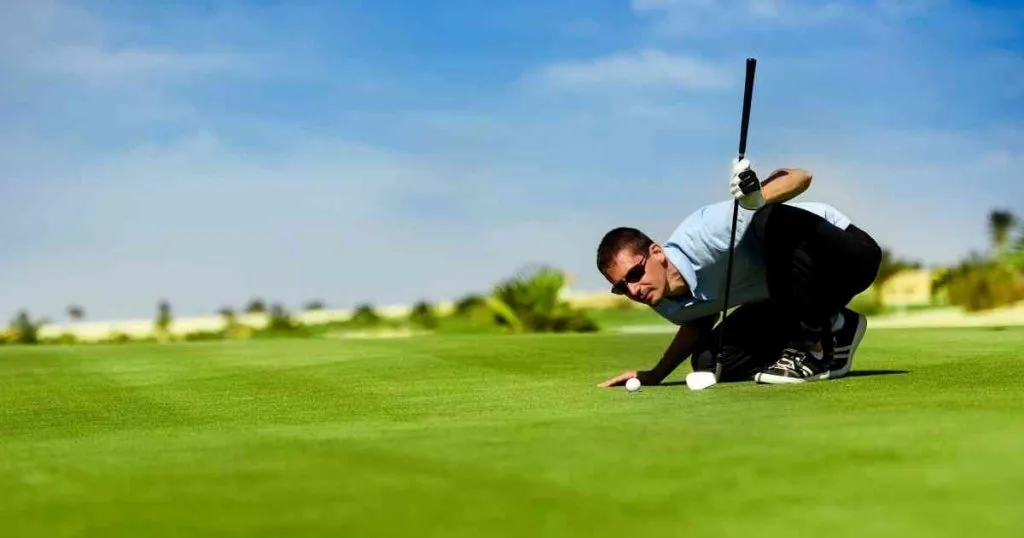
<point>796,268</point>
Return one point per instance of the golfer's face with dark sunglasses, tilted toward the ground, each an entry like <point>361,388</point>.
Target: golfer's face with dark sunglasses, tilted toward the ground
<point>639,276</point>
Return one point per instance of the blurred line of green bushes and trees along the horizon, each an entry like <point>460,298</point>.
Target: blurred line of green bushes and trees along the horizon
<point>531,301</point>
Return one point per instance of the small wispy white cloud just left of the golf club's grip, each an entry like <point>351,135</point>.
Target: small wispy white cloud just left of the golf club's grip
<point>645,69</point>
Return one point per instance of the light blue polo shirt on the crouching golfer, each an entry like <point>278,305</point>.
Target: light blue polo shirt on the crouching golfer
<point>700,249</point>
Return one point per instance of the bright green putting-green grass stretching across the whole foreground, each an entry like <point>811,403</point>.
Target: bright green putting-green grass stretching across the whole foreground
<point>505,436</point>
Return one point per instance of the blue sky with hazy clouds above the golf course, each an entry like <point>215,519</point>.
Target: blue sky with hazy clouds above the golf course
<point>212,152</point>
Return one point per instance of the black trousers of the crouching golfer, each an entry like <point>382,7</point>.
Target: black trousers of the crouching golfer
<point>814,270</point>
